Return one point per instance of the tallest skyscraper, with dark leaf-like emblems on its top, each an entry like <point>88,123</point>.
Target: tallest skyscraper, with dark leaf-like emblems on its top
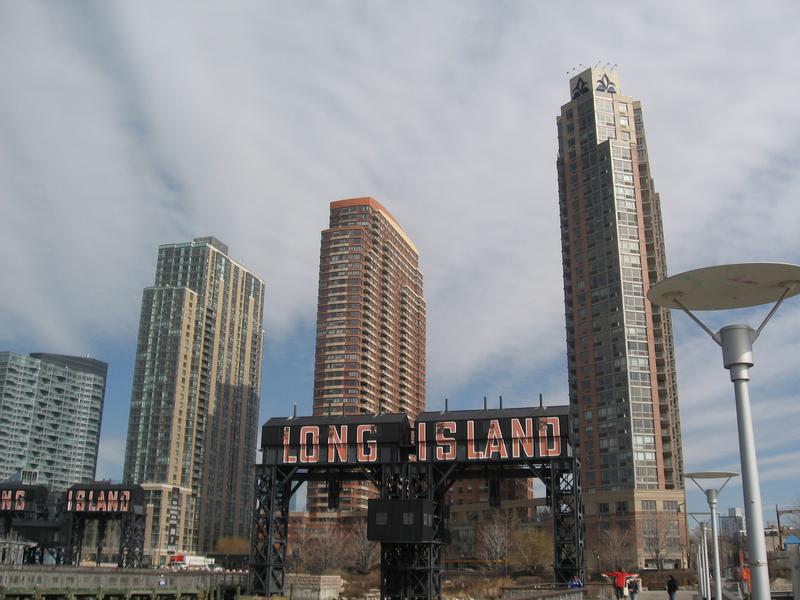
<point>622,384</point>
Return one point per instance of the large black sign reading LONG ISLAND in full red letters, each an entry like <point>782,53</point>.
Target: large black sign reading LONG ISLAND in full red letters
<point>473,436</point>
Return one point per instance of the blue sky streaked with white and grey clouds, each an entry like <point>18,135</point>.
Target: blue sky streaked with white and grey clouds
<point>127,125</point>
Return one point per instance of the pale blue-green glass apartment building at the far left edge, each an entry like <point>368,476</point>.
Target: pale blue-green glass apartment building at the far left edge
<point>51,407</point>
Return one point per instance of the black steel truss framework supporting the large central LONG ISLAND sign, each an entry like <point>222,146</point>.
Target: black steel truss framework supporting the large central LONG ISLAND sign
<point>410,570</point>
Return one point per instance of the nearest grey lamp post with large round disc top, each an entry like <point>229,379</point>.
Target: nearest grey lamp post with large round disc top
<point>728,287</point>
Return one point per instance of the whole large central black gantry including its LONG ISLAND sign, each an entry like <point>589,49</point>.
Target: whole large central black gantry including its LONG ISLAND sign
<point>412,470</point>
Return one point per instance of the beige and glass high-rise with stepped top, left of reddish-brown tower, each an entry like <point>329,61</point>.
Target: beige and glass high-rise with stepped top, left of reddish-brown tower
<point>194,404</point>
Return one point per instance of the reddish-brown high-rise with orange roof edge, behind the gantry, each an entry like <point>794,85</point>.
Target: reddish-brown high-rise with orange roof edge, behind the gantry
<point>370,354</point>
